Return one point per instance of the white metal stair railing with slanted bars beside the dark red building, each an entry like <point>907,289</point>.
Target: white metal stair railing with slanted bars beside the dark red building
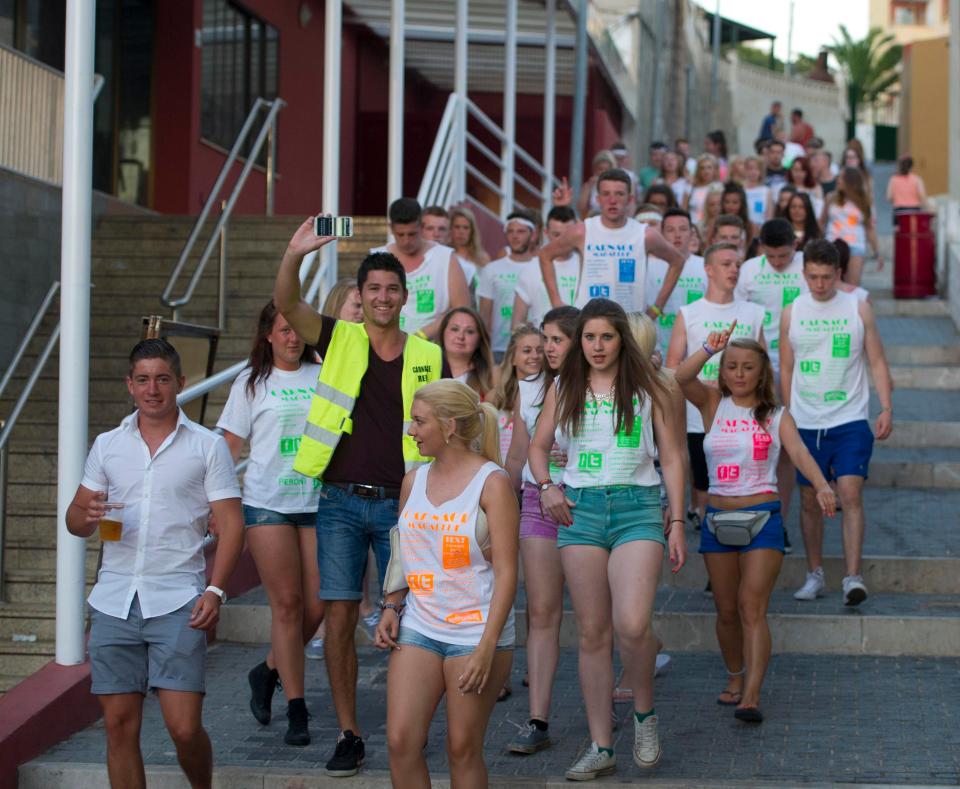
<point>440,179</point>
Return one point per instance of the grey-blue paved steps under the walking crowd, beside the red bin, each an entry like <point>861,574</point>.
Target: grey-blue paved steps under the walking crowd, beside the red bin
<point>912,545</point>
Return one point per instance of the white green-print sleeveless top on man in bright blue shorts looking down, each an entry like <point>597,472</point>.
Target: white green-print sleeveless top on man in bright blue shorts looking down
<point>829,386</point>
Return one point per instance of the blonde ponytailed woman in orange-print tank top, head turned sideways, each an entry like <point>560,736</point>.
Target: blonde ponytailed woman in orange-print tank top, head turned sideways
<point>457,634</point>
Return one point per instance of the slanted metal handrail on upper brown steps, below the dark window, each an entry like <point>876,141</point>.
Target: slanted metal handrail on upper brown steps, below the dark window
<point>267,129</point>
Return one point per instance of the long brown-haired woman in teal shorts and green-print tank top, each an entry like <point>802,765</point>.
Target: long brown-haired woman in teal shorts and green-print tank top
<point>609,403</point>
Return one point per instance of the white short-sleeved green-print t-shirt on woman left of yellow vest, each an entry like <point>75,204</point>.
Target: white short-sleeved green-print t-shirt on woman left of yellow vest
<point>273,420</point>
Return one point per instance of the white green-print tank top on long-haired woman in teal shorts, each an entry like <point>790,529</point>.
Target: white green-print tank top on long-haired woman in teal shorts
<point>598,455</point>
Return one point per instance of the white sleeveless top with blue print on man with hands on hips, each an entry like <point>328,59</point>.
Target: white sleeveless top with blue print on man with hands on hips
<point>614,264</point>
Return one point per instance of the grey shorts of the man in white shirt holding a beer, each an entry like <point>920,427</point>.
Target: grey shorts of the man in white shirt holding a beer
<point>134,655</point>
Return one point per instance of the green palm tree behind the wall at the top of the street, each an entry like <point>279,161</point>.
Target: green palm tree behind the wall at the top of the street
<point>869,65</point>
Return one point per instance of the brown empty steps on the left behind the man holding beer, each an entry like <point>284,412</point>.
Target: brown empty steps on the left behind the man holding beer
<point>132,258</point>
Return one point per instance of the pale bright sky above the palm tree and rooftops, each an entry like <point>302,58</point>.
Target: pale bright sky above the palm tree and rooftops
<point>815,22</point>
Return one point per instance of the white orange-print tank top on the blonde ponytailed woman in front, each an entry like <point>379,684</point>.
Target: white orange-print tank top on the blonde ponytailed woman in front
<point>450,582</point>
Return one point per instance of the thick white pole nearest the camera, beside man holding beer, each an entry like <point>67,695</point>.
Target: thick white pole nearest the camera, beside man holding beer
<point>74,321</point>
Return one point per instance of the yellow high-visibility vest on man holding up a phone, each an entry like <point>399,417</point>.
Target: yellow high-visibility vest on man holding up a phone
<point>338,387</point>
